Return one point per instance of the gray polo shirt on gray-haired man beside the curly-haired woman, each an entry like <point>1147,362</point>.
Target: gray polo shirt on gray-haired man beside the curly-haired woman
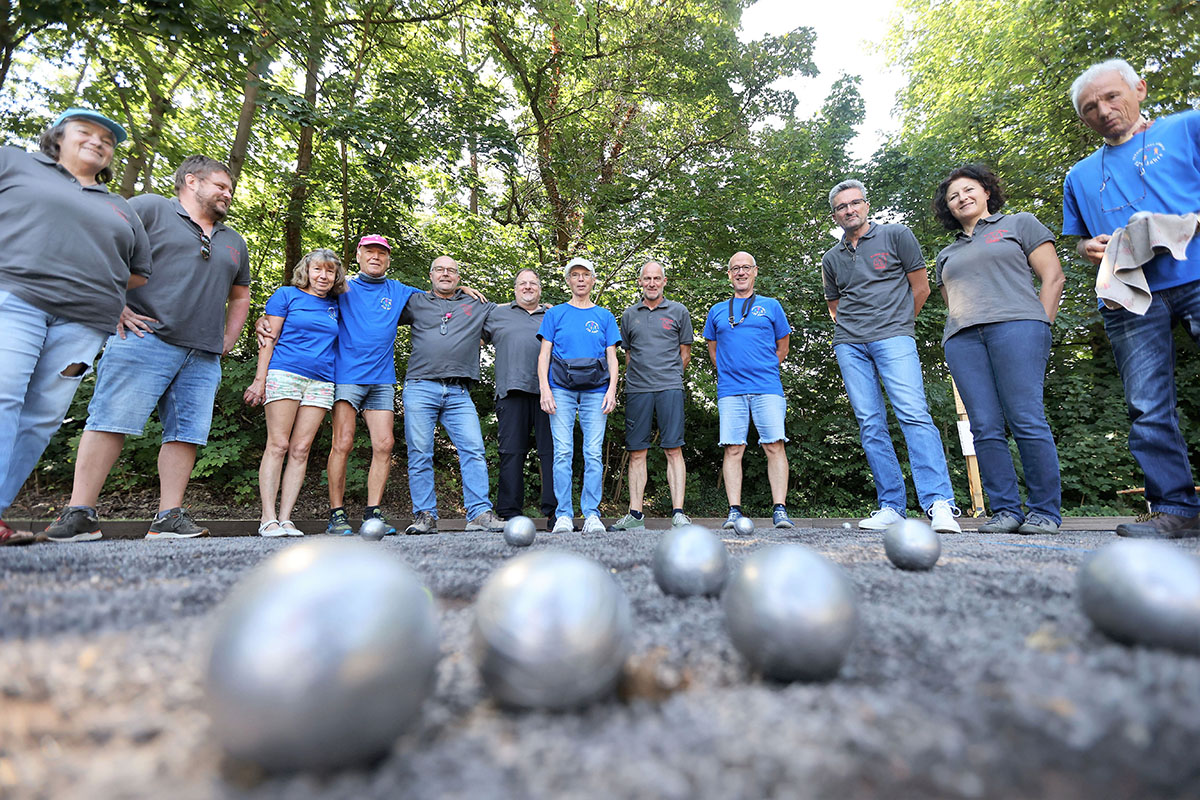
<point>871,284</point>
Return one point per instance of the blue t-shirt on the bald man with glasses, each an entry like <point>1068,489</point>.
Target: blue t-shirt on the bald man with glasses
<point>746,353</point>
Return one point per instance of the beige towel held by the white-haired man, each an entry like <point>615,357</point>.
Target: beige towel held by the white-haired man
<point>1120,281</point>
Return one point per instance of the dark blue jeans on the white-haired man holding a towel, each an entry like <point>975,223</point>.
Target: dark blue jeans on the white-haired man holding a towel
<point>1145,353</point>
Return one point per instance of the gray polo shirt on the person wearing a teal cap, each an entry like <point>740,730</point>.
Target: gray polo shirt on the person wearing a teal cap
<point>65,249</point>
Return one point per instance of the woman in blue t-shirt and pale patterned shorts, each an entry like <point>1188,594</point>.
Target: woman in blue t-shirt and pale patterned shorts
<point>296,381</point>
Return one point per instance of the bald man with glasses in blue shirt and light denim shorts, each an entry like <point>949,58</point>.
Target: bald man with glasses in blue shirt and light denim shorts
<point>748,339</point>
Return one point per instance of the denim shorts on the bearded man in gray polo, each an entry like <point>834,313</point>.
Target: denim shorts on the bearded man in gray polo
<point>136,375</point>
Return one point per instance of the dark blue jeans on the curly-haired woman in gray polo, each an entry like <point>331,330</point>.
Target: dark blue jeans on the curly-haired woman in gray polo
<point>1000,370</point>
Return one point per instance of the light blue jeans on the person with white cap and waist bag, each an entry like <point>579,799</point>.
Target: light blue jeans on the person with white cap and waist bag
<point>587,406</point>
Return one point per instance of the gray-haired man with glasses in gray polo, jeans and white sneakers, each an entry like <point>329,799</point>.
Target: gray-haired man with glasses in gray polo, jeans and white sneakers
<point>875,285</point>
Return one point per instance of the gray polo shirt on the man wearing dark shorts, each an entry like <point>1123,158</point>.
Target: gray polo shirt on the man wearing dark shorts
<point>653,336</point>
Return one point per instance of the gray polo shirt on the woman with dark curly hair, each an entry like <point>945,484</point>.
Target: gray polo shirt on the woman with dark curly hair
<point>988,276</point>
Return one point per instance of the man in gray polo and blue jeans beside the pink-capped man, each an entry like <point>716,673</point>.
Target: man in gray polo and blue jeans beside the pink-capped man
<point>447,328</point>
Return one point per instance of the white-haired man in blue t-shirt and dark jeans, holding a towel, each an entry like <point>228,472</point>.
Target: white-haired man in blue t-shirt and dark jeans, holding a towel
<point>1149,172</point>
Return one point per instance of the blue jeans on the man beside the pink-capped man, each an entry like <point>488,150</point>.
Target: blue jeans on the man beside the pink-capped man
<point>427,404</point>
